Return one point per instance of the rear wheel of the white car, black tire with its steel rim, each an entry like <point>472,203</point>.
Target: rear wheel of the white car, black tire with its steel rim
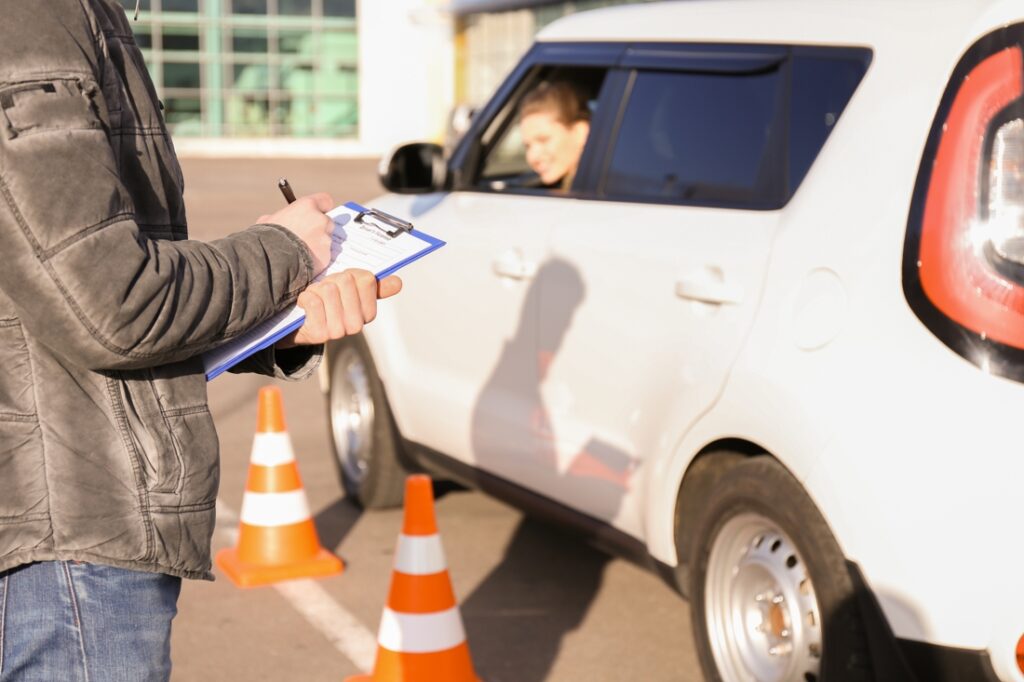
<point>773,599</point>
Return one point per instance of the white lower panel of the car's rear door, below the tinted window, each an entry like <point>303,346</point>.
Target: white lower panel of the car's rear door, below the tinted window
<point>670,293</point>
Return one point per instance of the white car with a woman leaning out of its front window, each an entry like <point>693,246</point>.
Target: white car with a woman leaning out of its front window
<point>773,338</point>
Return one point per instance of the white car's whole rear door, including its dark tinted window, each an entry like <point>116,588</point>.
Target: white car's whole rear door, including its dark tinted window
<point>671,259</point>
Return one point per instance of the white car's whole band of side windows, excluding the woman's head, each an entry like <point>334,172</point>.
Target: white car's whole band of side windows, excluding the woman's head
<point>734,126</point>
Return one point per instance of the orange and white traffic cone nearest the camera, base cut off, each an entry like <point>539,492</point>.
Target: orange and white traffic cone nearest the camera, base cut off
<point>421,637</point>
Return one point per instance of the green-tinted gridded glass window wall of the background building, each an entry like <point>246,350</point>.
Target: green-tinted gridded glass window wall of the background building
<point>253,68</point>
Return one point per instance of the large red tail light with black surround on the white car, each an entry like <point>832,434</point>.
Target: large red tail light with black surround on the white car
<point>964,264</point>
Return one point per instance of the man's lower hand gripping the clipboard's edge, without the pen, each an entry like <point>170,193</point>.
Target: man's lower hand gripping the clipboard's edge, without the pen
<point>339,306</point>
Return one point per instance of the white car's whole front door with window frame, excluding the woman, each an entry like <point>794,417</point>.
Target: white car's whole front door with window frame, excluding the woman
<point>466,382</point>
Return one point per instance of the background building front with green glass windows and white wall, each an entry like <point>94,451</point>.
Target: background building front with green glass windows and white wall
<point>329,77</point>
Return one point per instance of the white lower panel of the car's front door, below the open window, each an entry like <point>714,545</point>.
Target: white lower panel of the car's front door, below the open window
<point>461,357</point>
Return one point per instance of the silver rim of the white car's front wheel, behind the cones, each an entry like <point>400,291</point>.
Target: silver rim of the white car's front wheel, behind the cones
<point>352,415</point>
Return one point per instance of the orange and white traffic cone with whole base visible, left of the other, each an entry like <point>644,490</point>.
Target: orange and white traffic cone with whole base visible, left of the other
<point>277,537</point>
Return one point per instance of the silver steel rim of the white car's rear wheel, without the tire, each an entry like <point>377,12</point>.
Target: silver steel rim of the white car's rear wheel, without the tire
<point>762,614</point>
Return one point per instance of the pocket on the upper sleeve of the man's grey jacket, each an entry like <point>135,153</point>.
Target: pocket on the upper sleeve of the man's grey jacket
<point>57,105</point>
